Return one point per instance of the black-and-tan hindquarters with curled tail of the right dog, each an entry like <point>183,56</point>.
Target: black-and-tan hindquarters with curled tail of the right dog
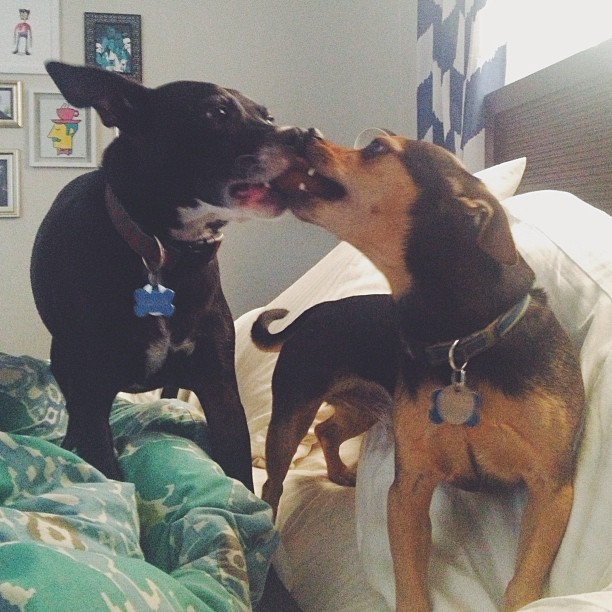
<point>345,352</point>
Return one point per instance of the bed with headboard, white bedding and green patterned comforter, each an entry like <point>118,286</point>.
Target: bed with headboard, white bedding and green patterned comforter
<point>179,535</point>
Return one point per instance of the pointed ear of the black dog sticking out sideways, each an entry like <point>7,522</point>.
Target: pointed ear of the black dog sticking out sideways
<point>120,102</point>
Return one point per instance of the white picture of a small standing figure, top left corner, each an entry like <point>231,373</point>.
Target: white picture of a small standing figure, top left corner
<point>28,36</point>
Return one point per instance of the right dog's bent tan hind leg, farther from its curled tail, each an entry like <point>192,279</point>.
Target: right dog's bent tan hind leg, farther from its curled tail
<point>357,405</point>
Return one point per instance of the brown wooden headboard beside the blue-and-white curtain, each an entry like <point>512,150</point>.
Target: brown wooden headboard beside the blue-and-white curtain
<point>560,119</point>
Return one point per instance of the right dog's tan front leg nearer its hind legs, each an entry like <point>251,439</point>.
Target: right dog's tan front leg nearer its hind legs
<point>410,536</point>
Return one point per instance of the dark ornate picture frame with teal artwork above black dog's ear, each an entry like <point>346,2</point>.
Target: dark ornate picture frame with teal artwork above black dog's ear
<point>113,42</point>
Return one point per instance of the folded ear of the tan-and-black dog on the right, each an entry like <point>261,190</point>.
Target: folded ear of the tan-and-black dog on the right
<point>494,237</point>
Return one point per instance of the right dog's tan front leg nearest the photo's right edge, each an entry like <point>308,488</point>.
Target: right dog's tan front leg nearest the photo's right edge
<point>542,528</point>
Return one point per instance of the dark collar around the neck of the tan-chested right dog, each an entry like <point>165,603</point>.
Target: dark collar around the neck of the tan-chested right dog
<point>461,350</point>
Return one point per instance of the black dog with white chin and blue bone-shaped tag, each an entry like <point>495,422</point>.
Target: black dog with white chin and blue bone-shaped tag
<point>183,164</point>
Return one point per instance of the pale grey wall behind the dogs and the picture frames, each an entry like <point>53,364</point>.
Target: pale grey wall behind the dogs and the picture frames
<point>340,66</point>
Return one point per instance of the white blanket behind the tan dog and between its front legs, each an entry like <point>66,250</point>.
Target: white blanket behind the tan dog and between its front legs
<point>569,245</point>
